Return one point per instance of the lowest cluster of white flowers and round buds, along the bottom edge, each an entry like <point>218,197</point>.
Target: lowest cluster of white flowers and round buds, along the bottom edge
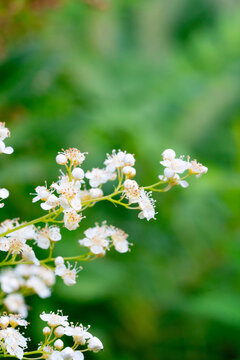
<point>13,342</point>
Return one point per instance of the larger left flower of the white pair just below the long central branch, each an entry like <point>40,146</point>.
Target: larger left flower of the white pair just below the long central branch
<point>97,239</point>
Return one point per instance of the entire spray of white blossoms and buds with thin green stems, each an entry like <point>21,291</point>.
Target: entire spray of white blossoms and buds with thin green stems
<point>28,272</point>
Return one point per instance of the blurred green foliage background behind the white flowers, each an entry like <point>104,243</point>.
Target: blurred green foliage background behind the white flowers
<point>140,75</point>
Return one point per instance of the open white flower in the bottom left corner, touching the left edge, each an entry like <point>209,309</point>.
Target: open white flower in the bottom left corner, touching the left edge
<point>14,342</point>
